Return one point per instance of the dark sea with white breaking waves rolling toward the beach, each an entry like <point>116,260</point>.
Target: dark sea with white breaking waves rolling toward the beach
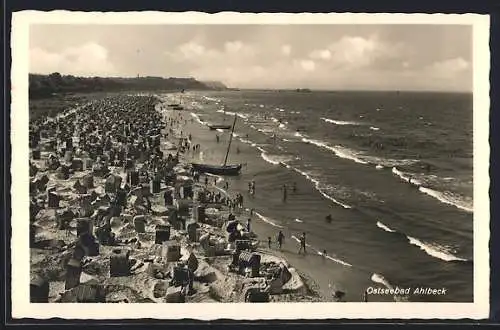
<point>351,156</point>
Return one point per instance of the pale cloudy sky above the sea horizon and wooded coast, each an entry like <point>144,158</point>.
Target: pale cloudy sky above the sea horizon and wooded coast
<point>335,57</point>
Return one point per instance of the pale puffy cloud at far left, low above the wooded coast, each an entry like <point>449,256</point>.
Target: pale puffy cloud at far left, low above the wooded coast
<point>90,59</point>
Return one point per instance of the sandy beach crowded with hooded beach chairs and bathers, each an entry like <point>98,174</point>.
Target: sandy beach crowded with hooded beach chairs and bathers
<point>86,247</point>
